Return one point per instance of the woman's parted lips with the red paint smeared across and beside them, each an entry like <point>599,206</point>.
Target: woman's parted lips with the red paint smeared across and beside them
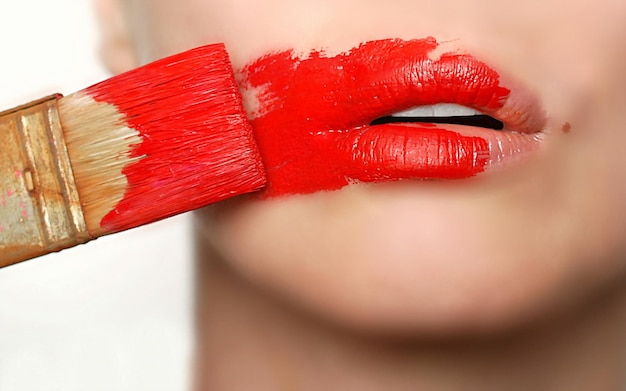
<point>313,114</point>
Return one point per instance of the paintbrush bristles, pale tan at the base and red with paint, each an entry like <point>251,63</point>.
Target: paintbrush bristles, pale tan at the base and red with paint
<point>163,139</point>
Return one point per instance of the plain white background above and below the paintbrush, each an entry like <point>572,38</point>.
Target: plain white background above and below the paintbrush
<point>114,314</point>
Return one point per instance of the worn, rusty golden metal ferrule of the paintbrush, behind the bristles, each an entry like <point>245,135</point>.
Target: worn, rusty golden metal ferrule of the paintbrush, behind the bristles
<point>40,210</point>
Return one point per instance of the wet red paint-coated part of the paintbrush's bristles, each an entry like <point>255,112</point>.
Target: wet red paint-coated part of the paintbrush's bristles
<point>197,144</point>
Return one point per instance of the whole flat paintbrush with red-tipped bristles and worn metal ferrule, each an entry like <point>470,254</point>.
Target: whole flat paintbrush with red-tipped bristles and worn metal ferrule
<point>144,145</point>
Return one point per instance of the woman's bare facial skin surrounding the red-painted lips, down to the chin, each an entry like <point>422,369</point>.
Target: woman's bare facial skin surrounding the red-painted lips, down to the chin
<point>433,257</point>
